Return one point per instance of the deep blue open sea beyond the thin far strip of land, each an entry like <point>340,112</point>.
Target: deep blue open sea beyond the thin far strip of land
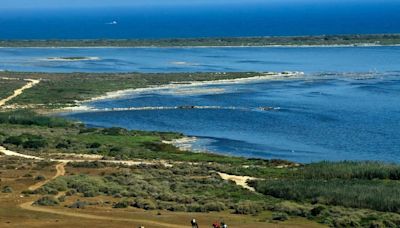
<point>248,19</point>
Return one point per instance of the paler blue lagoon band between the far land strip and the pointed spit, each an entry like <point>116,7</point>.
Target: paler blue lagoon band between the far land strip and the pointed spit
<point>315,59</point>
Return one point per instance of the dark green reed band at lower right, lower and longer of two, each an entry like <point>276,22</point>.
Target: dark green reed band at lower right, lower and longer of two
<point>376,195</point>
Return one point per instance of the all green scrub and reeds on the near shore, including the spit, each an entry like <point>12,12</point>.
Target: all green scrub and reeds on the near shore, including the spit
<point>339,194</point>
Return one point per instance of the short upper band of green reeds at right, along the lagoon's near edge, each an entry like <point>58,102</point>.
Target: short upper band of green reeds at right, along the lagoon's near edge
<point>350,170</point>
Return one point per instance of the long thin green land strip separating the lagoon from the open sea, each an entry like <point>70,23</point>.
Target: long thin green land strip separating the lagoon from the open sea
<point>384,39</point>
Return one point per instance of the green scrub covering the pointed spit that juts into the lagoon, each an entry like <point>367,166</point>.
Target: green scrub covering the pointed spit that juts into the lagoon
<point>57,90</point>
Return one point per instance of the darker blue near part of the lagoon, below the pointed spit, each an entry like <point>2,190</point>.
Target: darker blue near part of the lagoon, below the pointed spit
<point>319,117</point>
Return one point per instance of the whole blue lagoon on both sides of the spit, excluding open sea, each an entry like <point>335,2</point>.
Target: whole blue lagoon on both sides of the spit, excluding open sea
<point>347,105</point>
